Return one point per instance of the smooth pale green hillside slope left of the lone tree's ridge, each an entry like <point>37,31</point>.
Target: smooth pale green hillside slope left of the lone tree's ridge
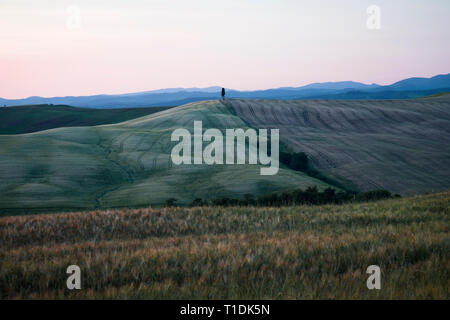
<point>126,164</point>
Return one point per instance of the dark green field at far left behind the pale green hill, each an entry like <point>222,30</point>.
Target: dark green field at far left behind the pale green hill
<point>26,119</point>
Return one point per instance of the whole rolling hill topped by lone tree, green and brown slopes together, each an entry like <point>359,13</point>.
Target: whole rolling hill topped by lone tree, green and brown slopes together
<point>398,145</point>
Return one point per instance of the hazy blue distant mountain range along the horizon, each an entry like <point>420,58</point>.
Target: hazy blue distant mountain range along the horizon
<point>407,88</point>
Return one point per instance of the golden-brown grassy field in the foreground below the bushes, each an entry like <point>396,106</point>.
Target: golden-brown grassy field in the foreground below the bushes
<point>233,253</point>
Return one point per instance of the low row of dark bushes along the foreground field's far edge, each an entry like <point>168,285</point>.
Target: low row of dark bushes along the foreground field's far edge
<point>309,196</point>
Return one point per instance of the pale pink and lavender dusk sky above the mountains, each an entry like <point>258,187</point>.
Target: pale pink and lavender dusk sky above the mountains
<point>134,45</point>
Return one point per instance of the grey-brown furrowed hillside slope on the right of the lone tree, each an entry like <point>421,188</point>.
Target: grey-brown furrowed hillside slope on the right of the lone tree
<point>399,145</point>
